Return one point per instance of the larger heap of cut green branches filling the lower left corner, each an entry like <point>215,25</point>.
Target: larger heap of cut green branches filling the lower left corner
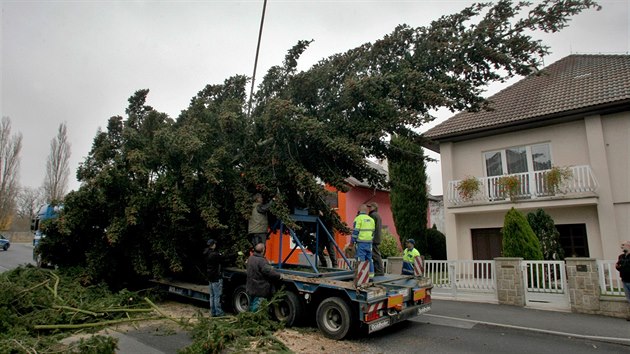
<point>38,307</point>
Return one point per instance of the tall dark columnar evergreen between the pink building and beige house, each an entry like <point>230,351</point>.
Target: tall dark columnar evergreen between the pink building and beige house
<point>408,192</point>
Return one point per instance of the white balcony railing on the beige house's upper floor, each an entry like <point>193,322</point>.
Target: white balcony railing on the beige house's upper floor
<point>534,185</point>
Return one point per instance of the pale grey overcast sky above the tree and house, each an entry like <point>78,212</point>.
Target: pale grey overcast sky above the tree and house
<point>79,61</point>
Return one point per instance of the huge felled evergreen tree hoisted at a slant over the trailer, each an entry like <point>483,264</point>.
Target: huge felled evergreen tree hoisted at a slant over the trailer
<point>153,189</point>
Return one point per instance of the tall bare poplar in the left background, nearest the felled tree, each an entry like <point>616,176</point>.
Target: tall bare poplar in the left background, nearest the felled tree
<point>57,166</point>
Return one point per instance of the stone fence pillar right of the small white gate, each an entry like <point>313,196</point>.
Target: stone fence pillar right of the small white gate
<point>583,282</point>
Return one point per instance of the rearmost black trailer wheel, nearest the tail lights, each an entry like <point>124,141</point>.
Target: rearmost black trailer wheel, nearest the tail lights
<point>334,318</point>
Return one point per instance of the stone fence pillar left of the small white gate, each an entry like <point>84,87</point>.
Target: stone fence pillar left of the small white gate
<point>510,285</point>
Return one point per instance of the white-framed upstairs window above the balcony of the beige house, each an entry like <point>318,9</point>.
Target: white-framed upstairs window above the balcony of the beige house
<point>518,159</point>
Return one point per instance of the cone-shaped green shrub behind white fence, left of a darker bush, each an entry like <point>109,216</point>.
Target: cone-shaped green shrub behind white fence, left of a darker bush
<point>519,239</point>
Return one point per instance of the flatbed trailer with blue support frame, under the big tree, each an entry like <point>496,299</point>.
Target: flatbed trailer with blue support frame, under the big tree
<point>341,300</point>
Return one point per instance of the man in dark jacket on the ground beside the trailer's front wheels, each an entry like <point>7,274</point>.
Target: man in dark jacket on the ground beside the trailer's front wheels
<point>260,274</point>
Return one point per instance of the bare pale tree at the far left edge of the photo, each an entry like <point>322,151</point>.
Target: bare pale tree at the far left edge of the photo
<point>10,147</point>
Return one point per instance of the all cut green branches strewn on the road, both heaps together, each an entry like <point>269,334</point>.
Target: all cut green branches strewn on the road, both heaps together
<point>40,307</point>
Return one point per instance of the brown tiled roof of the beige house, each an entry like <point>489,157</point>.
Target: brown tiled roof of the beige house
<point>577,83</point>
